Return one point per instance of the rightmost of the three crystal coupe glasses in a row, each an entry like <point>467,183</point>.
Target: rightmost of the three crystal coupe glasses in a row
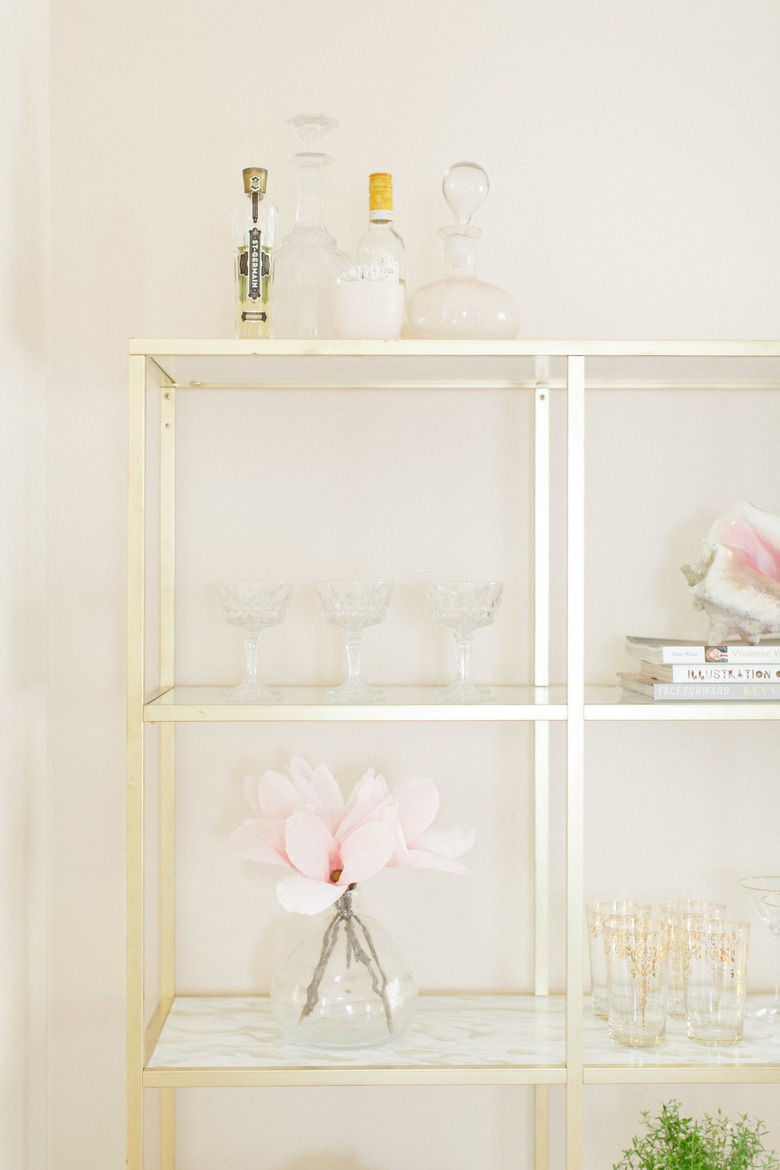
<point>465,607</point>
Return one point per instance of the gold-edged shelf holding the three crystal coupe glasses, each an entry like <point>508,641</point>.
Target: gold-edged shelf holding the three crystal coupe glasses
<point>206,705</point>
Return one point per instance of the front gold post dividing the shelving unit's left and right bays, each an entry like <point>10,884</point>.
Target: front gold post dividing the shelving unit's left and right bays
<point>576,738</point>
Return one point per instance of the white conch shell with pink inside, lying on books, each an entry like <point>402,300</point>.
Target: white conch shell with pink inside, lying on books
<point>738,580</point>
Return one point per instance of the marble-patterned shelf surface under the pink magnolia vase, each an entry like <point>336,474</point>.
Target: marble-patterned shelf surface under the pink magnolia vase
<point>447,1033</point>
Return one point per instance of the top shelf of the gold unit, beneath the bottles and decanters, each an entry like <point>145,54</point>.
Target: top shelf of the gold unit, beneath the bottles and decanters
<point>196,364</point>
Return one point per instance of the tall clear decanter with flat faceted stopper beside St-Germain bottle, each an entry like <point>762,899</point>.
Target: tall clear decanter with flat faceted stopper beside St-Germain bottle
<point>308,263</point>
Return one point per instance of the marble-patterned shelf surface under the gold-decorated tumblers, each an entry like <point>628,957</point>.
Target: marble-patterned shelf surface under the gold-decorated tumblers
<point>761,1045</point>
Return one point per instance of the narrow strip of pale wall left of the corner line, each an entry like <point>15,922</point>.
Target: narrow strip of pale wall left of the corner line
<point>25,297</point>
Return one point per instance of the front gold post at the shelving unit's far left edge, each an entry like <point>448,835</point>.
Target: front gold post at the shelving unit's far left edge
<point>136,686</point>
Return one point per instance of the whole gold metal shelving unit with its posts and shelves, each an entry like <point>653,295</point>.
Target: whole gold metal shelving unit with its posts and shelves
<point>537,1041</point>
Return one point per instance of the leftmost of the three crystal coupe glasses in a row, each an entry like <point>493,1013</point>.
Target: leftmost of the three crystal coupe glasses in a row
<point>253,607</point>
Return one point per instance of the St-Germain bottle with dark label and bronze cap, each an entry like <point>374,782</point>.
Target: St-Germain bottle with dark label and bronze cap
<point>254,228</point>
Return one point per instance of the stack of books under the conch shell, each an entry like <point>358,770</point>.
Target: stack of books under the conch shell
<point>678,670</point>
